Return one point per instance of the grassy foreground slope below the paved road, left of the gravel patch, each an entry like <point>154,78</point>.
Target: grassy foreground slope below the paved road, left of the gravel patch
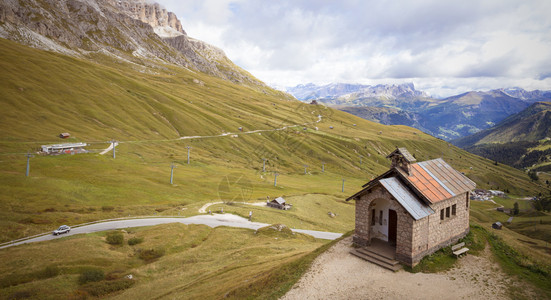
<point>182,261</point>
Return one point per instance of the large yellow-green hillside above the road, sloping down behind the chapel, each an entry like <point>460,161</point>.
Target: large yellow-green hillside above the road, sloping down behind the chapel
<point>148,110</point>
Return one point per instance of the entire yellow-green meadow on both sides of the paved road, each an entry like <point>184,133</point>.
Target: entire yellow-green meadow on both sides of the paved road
<point>154,113</point>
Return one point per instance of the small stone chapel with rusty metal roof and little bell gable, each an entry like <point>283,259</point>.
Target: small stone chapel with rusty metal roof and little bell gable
<point>412,210</point>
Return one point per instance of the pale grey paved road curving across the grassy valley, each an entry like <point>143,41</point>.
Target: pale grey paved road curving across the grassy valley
<point>209,220</point>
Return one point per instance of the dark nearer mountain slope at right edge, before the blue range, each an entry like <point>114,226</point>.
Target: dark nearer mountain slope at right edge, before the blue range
<point>522,140</point>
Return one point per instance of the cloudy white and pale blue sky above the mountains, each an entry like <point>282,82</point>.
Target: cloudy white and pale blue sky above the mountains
<point>443,47</point>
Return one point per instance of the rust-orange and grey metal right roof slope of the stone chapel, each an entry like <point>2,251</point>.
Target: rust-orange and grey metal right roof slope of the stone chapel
<point>437,180</point>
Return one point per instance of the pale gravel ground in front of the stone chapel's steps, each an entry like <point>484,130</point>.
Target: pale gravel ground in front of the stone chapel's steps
<point>337,274</point>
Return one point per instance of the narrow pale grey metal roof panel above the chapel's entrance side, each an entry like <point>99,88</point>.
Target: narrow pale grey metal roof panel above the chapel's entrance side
<point>415,207</point>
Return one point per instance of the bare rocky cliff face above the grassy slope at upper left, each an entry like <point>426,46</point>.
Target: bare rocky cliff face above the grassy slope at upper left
<point>130,30</point>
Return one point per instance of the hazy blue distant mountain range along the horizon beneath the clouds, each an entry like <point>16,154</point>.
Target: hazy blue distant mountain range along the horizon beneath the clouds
<point>450,118</point>
